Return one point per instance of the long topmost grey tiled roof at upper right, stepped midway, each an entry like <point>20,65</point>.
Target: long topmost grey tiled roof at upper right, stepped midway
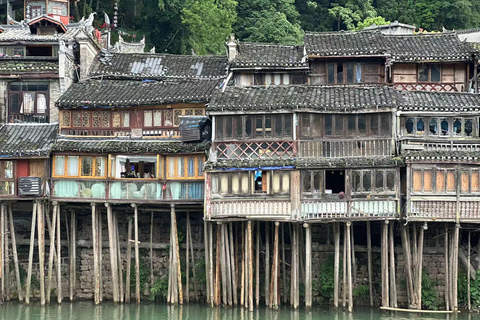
<point>404,48</point>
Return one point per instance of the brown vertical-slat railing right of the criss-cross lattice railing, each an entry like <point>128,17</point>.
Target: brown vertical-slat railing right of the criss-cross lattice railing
<point>344,148</point>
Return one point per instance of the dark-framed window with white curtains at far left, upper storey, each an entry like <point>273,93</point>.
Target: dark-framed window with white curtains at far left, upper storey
<point>28,98</point>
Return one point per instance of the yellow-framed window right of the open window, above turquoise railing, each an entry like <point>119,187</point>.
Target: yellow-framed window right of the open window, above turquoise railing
<point>185,167</point>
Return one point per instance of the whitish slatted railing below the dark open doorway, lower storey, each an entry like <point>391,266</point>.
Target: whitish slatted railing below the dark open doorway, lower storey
<point>350,209</point>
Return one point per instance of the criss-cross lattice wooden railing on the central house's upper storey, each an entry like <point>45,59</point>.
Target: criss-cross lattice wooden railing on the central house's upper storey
<point>255,150</point>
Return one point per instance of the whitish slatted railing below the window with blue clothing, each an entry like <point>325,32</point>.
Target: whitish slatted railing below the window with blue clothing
<point>251,209</point>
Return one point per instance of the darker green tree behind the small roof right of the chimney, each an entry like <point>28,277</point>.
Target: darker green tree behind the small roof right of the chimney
<point>268,21</point>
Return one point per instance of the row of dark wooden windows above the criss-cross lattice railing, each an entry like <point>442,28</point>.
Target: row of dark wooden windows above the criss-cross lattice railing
<point>259,126</point>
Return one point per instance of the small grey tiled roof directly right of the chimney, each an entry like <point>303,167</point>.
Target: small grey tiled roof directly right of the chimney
<point>269,56</point>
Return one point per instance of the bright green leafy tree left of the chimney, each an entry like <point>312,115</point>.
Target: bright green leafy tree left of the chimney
<point>209,23</point>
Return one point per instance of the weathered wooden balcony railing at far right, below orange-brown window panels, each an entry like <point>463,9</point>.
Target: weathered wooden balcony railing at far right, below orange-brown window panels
<point>445,209</point>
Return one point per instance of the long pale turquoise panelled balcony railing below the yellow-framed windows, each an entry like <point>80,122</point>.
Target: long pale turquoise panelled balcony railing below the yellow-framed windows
<point>129,189</point>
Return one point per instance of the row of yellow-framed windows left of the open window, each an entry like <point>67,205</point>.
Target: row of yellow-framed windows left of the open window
<point>79,166</point>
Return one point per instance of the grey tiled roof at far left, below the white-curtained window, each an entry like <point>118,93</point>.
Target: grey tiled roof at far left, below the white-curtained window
<point>18,140</point>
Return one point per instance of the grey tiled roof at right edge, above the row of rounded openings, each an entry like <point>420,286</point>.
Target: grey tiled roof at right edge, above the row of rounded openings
<point>439,101</point>
